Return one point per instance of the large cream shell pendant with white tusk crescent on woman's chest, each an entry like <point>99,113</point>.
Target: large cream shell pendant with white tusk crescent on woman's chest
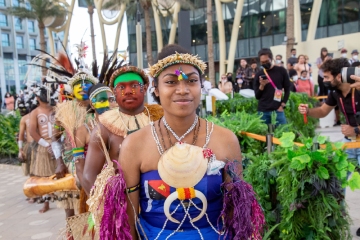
<point>182,167</point>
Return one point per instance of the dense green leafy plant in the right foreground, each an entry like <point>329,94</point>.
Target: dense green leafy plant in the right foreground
<point>302,189</point>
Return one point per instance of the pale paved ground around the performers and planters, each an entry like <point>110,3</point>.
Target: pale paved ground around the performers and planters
<point>20,220</point>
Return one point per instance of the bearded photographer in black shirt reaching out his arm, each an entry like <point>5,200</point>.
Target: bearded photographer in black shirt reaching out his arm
<point>343,95</point>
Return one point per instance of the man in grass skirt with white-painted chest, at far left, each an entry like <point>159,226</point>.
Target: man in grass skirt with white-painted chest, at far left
<point>41,130</point>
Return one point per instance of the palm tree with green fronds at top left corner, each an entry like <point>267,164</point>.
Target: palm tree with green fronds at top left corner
<point>39,10</point>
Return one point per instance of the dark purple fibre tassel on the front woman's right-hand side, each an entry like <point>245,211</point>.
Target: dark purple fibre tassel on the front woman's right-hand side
<point>243,216</point>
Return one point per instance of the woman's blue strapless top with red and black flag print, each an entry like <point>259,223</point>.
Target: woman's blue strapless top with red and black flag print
<point>154,191</point>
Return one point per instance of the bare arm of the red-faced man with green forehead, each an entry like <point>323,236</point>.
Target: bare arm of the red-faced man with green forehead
<point>95,158</point>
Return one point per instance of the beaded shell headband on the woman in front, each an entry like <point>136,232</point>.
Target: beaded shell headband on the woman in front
<point>177,58</point>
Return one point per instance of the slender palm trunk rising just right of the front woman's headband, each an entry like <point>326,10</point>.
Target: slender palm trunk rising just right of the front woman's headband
<point>209,26</point>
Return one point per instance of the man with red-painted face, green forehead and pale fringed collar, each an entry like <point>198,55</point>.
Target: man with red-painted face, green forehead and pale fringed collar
<point>130,84</point>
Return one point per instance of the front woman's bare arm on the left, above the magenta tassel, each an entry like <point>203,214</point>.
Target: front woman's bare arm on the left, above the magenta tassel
<point>130,165</point>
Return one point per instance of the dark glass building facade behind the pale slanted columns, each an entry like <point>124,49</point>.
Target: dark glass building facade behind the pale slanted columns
<point>263,24</point>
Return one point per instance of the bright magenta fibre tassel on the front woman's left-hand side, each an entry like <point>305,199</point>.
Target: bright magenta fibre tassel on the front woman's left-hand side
<point>114,223</point>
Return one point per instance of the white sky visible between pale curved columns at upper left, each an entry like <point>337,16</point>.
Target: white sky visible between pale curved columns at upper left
<point>80,28</point>
